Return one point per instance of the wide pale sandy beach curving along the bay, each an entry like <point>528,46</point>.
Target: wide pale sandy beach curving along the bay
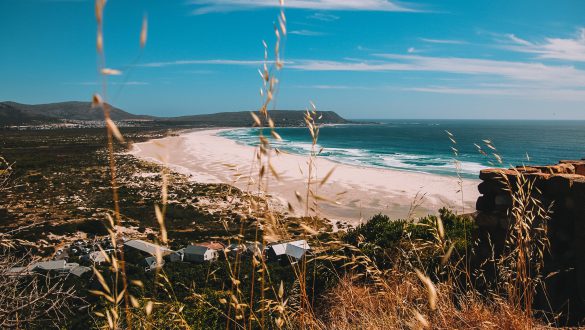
<point>360,191</point>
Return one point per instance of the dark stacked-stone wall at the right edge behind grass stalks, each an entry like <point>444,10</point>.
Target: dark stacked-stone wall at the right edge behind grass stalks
<point>563,187</point>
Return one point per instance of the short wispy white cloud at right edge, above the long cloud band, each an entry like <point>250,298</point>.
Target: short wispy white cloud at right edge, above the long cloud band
<point>567,49</point>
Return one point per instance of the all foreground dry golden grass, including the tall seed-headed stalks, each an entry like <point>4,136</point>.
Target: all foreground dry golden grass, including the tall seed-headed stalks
<point>366,297</point>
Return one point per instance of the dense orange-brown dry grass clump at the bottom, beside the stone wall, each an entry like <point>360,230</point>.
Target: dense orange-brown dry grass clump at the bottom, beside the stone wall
<point>403,304</point>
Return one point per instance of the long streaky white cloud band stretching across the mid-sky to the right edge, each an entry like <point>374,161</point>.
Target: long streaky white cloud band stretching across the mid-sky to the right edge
<point>477,76</point>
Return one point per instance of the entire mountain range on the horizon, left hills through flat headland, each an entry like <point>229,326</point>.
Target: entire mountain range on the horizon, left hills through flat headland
<point>12,113</point>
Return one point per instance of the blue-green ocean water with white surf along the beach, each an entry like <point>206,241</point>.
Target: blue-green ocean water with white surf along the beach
<point>424,145</point>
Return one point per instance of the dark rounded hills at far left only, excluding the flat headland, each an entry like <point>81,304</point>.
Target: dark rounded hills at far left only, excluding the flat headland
<point>26,113</point>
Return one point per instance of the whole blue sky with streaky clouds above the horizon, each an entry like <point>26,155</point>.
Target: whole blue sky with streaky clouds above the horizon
<point>361,58</point>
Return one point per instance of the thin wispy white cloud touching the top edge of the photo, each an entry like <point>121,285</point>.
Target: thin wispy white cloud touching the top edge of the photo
<point>211,6</point>
